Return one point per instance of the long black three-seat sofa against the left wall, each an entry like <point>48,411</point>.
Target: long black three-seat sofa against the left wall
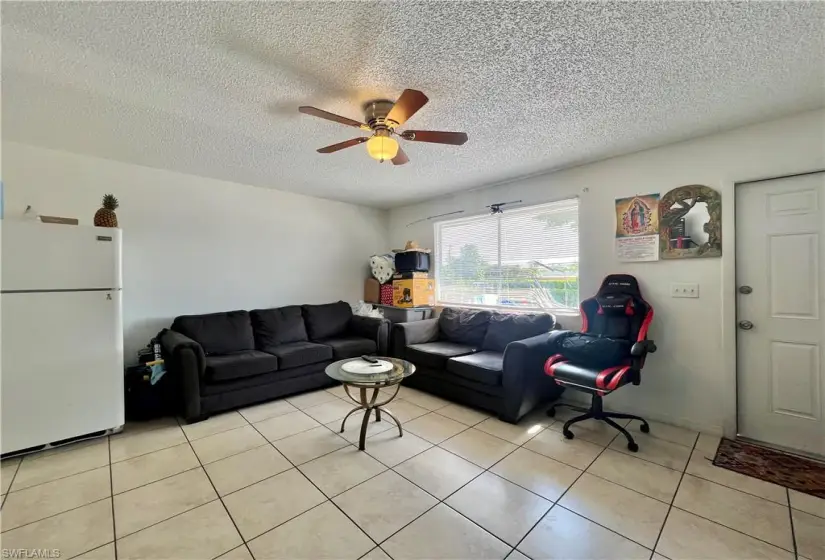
<point>226,360</point>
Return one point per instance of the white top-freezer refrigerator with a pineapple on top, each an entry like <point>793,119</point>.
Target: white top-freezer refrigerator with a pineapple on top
<point>62,333</point>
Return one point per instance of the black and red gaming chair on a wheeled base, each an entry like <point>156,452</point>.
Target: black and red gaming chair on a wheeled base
<point>608,353</point>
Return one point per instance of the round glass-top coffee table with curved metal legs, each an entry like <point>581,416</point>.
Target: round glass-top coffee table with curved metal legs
<point>364,382</point>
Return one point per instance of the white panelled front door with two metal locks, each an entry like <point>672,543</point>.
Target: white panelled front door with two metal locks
<point>780,261</point>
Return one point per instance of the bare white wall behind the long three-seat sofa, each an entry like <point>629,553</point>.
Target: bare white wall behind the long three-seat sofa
<point>197,245</point>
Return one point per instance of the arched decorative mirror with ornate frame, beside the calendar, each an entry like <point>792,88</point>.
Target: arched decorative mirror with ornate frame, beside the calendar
<point>690,223</point>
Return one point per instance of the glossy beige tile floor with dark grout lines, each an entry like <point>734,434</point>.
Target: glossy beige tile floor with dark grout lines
<point>276,480</point>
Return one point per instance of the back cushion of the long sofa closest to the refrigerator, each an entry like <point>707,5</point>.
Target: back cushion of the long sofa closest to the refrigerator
<point>218,333</point>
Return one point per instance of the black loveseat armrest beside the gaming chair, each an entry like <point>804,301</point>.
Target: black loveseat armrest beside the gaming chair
<point>525,383</point>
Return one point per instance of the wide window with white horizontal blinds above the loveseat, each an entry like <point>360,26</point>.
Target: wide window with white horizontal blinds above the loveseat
<point>526,258</point>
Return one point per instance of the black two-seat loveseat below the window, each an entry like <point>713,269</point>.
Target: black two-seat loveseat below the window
<point>493,361</point>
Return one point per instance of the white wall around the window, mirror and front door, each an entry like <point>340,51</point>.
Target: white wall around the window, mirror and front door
<point>685,381</point>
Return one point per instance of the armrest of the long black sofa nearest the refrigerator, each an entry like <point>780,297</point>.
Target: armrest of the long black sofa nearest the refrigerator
<point>186,360</point>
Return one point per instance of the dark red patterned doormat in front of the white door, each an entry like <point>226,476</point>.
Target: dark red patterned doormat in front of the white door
<point>784,469</point>
